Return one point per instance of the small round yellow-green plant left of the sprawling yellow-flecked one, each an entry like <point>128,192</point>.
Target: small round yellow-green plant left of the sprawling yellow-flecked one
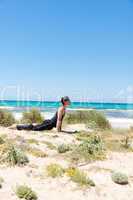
<point>54,170</point>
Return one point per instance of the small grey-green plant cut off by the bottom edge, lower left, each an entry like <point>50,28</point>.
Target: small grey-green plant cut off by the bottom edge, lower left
<point>24,192</point>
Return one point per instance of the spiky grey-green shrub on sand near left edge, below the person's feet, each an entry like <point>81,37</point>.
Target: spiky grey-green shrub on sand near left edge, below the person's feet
<point>15,156</point>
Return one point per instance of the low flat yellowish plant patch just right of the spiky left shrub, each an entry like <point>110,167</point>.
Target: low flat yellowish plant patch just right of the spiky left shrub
<point>36,152</point>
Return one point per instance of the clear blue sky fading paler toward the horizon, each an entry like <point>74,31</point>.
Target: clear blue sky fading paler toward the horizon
<point>81,48</point>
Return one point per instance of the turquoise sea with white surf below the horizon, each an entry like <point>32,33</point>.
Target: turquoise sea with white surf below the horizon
<point>48,108</point>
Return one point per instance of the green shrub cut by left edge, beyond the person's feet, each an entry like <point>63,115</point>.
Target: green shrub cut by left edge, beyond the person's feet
<point>6,118</point>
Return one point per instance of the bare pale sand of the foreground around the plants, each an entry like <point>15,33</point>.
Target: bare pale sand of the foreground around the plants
<point>62,188</point>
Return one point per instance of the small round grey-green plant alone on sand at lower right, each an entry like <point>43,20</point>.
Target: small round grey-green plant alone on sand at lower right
<point>120,178</point>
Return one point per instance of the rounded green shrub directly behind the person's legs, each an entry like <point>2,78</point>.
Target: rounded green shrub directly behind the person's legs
<point>33,116</point>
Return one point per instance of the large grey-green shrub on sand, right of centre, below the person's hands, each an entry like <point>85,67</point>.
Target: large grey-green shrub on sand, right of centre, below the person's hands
<point>88,150</point>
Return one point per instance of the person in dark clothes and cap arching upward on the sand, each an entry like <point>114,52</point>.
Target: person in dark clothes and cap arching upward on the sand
<point>56,121</point>
